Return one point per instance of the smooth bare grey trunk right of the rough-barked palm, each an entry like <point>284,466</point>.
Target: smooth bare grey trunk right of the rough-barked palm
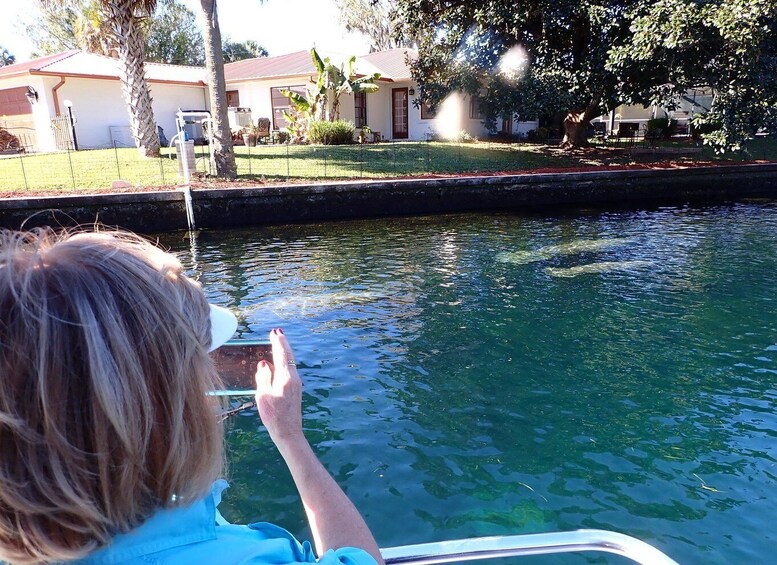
<point>217,87</point>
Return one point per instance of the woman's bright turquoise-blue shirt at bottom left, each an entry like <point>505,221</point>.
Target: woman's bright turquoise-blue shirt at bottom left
<point>198,534</point>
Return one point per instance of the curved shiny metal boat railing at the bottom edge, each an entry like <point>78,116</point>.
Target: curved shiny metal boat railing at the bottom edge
<point>455,551</point>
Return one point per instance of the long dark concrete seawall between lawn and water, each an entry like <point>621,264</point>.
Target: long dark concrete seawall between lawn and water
<point>217,208</point>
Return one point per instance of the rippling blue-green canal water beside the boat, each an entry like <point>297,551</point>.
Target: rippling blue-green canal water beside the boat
<point>496,374</point>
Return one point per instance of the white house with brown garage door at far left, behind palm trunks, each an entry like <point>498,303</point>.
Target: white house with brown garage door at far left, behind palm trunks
<point>34,93</point>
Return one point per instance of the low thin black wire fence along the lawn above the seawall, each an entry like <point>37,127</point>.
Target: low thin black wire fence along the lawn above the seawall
<point>99,168</point>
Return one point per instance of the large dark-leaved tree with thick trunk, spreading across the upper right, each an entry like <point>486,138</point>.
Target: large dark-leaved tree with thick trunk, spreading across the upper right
<point>585,58</point>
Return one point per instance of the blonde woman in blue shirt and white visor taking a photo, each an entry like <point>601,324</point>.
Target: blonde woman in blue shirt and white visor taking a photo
<point>109,445</point>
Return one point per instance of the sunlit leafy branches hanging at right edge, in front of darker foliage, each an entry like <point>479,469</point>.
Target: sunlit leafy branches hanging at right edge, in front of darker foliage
<point>730,46</point>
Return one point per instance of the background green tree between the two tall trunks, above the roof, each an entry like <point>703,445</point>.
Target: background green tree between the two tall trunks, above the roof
<point>173,36</point>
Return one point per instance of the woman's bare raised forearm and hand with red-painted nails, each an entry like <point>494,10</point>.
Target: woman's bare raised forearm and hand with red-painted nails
<point>334,520</point>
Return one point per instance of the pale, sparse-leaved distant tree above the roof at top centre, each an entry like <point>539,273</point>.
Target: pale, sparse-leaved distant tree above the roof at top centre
<point>375,19</point>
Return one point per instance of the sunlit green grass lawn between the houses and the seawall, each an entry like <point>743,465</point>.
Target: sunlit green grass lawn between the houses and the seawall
<point>91,170</point>
